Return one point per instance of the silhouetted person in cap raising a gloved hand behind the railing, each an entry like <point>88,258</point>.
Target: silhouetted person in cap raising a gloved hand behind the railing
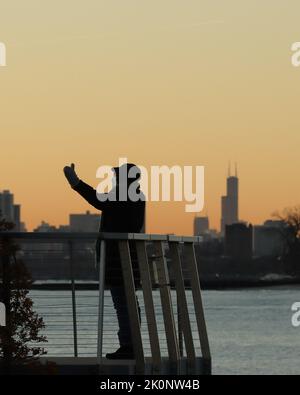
<point>123,215</point>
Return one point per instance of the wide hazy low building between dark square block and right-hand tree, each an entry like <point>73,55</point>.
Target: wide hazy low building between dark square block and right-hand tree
<point>269,239</point>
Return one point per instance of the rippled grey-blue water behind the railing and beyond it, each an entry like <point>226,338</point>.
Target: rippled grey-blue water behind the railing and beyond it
<point>250,330</point>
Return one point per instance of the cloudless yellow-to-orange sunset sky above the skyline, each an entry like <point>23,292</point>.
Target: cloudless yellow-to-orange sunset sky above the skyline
<point>160,82</point>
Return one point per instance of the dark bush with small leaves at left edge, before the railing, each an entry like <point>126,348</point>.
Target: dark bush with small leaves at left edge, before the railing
<point>23,324</point>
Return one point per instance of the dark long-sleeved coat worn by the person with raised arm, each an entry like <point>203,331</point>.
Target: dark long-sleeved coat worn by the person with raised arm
<point>117,216</point>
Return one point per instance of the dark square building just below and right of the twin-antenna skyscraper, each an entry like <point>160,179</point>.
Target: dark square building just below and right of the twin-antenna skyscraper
<point>239,241</point>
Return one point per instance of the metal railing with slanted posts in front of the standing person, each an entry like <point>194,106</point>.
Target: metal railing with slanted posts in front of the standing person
<point>177,339</point>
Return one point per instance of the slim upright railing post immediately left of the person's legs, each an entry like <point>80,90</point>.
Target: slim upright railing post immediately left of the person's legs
<point>101,300</point>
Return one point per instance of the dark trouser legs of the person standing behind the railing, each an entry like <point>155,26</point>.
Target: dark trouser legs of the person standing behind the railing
<point>120,305</point>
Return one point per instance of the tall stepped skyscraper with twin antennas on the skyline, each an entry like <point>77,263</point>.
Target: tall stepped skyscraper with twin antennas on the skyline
<point>230,202</point>
